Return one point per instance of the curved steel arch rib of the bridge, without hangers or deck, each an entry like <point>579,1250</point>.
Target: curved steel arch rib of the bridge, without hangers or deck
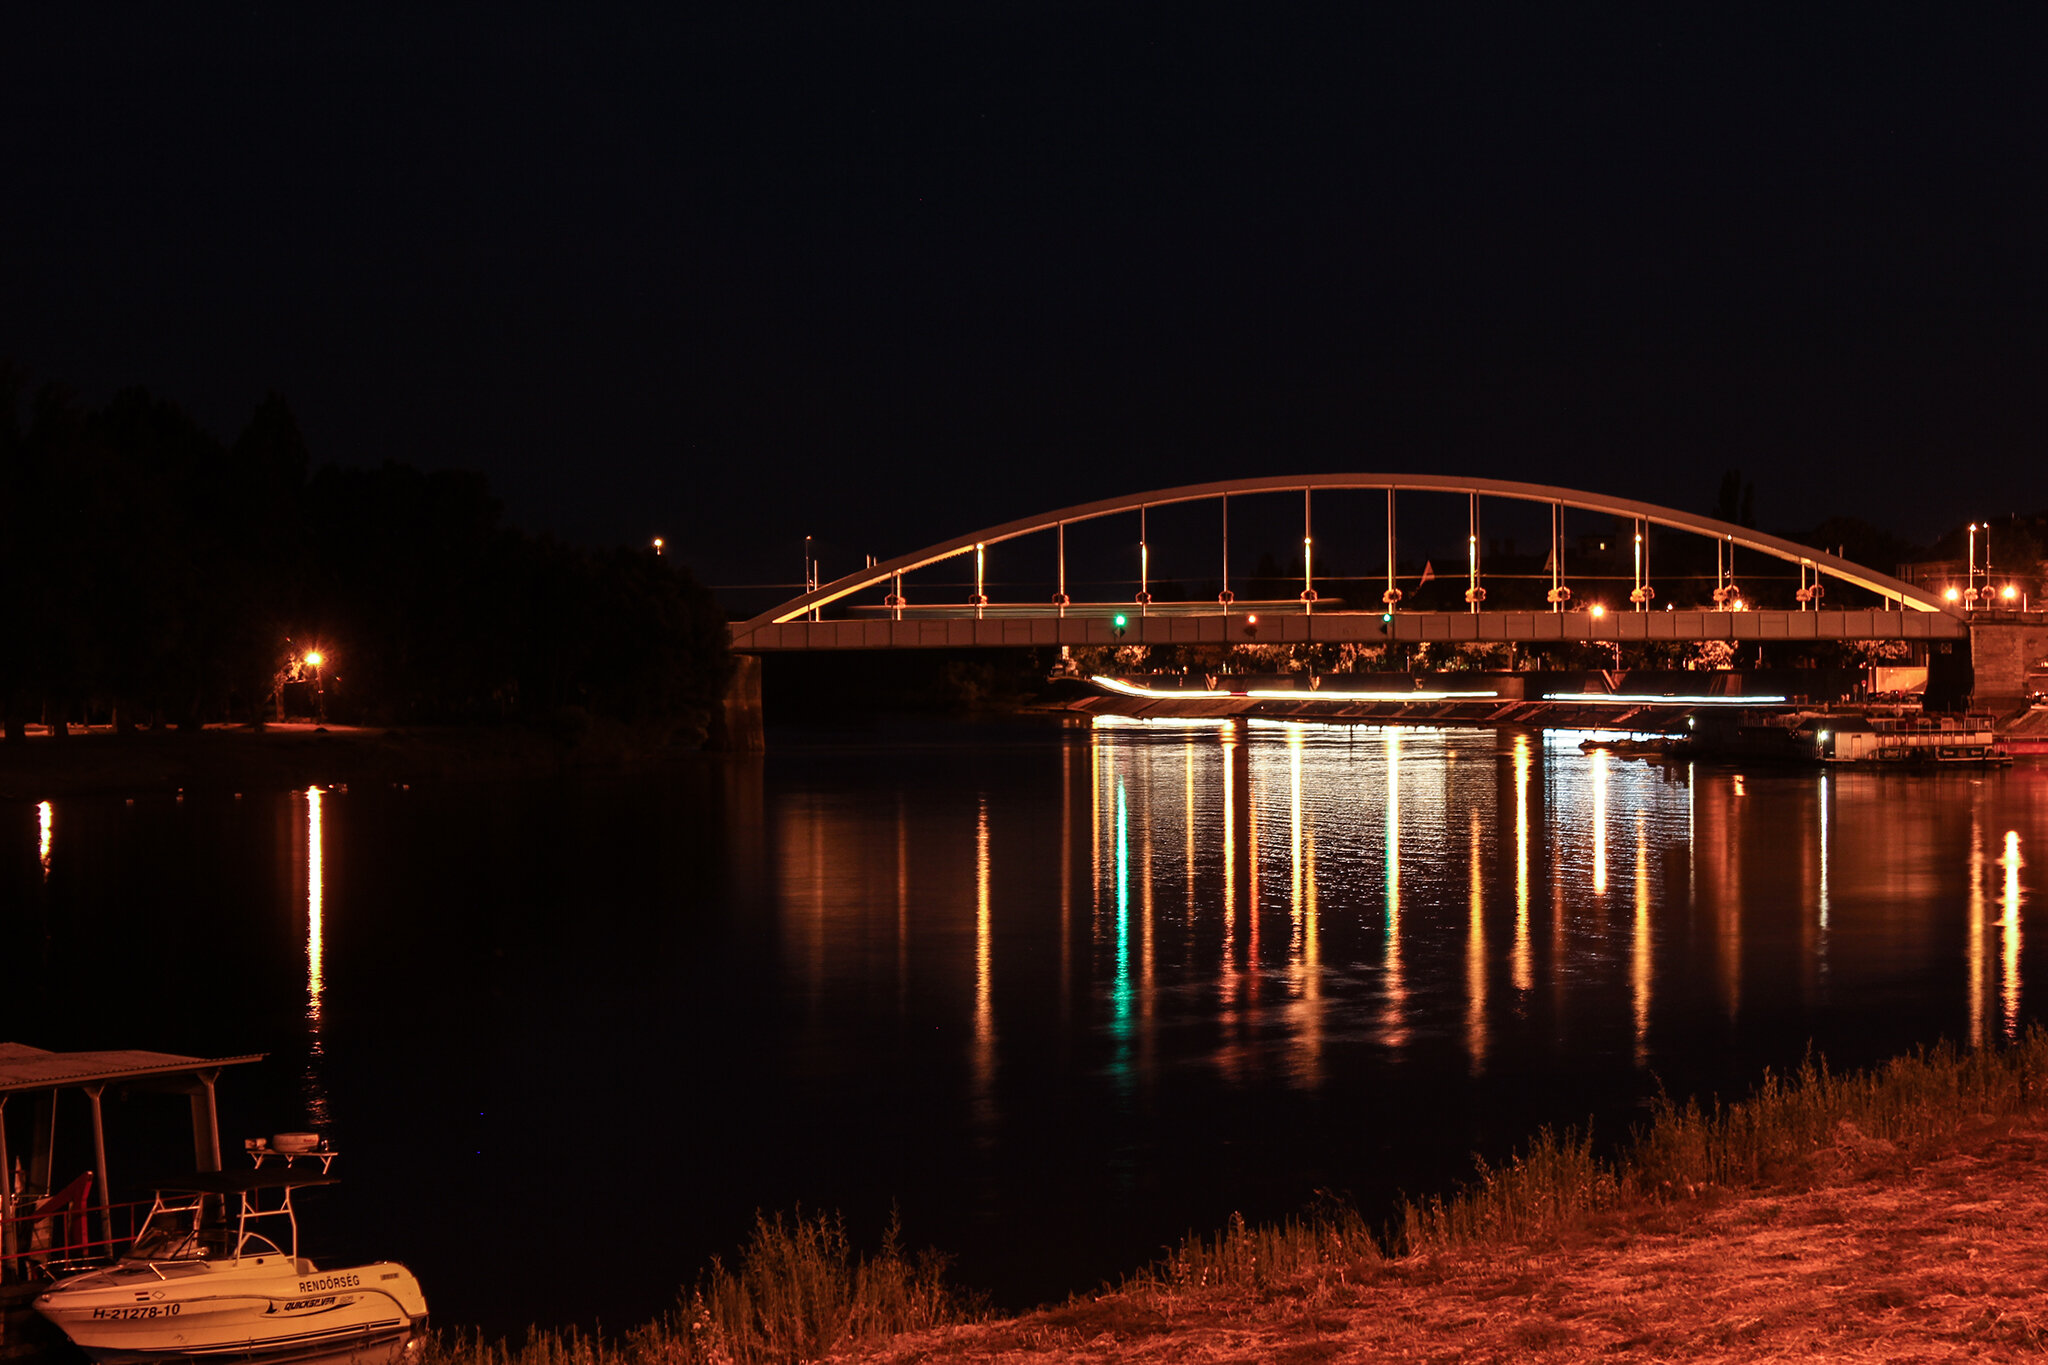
<point>1893,590</point>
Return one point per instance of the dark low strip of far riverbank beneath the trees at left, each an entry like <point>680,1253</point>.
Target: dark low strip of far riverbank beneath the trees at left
<point>296,754</point>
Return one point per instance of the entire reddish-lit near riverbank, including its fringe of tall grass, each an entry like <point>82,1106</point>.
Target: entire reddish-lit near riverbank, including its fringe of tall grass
<point>1844,1215</point>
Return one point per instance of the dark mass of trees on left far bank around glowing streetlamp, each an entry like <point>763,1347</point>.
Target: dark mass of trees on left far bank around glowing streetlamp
<point>165,578</point>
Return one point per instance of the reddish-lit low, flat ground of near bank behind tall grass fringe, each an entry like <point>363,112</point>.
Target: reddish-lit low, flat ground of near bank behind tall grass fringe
<point>1861,1256</point>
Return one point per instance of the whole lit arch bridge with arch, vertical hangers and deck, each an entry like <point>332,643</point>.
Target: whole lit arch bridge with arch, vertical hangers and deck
<point>1902,611</point>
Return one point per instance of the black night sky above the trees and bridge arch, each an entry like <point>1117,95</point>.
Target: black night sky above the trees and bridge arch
<point>888,273</point>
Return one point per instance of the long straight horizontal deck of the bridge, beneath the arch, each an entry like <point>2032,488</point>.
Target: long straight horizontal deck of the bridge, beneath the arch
<point>1095,625</point>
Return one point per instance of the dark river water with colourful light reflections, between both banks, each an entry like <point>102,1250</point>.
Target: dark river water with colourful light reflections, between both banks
<point>1056,994</point>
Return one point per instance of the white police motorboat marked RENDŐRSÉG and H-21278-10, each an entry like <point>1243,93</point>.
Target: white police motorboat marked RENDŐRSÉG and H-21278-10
<point>202,1284</point>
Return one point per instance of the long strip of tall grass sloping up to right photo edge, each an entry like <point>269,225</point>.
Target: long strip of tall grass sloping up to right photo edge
<point>1560,1184</point>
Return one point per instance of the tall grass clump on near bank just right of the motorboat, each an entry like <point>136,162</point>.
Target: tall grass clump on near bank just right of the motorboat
<point>800,1292</point>
